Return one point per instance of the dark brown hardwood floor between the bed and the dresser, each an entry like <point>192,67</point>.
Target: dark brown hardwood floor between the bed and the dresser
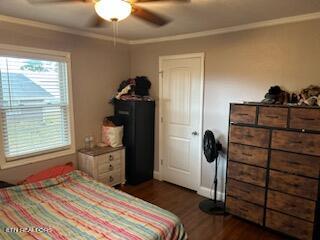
<point>199,226</point>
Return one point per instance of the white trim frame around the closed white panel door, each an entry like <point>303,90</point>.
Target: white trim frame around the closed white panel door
<point>200,55</point>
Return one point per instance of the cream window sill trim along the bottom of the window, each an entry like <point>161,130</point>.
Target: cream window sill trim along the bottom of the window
<point>40,158</point>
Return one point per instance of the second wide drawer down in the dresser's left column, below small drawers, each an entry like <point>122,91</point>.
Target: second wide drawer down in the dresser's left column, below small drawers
<point>247,154</point>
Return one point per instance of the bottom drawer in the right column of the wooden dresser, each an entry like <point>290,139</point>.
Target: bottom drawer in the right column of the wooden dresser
<point>289,225</point>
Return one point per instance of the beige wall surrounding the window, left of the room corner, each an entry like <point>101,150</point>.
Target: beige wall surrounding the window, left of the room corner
<point>97,69</point>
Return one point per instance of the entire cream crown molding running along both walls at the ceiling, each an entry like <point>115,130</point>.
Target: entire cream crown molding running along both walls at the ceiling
<point>69,30</point>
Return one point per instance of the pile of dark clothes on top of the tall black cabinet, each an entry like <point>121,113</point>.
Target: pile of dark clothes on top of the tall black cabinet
<point>134,89</point>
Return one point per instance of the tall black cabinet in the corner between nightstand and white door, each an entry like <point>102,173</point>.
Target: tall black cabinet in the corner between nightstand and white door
<point>137,118</point>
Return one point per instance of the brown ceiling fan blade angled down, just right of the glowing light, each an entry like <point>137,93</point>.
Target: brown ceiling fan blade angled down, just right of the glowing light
<point>149,16</point>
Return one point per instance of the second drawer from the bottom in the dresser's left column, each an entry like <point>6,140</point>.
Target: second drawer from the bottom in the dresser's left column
<point>246,192</point>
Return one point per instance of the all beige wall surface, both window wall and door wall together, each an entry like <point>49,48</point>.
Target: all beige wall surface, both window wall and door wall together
<point>238,66</point>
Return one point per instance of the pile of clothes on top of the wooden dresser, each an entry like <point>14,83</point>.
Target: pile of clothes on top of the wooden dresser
<point>309,96</point>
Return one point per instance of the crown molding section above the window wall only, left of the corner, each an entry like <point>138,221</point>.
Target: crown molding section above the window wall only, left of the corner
<point>52,27</point>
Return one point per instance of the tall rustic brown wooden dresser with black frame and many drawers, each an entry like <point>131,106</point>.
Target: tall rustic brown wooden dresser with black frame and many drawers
<point>274,167</point>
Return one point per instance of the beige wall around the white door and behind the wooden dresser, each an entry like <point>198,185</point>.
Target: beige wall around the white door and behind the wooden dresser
<point>240,66</point>
